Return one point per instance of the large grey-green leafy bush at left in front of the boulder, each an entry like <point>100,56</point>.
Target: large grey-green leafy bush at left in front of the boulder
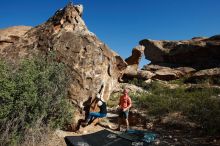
<point>31,95</point>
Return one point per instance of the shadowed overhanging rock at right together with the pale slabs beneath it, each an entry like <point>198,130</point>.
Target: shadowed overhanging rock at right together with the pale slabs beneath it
<point>175,59</point>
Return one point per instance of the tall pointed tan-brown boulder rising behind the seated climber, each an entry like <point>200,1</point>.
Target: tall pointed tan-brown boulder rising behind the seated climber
<point>94,67</point>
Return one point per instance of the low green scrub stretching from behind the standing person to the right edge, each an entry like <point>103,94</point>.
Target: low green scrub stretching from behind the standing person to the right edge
<point>200,105</point>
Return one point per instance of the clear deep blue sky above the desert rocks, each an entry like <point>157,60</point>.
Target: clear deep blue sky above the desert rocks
<point>121,24</point>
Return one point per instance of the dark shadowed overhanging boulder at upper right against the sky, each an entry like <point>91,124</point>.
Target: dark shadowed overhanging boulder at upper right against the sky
<point>197,52</point>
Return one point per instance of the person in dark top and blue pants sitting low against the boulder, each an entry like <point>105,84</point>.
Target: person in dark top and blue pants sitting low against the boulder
<point>102,113</point>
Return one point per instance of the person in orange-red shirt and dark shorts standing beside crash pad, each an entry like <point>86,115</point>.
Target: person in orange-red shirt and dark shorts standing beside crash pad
<point>123,109</point>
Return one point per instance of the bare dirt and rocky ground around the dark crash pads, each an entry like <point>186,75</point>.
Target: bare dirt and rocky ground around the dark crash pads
<point>169,132</point>
